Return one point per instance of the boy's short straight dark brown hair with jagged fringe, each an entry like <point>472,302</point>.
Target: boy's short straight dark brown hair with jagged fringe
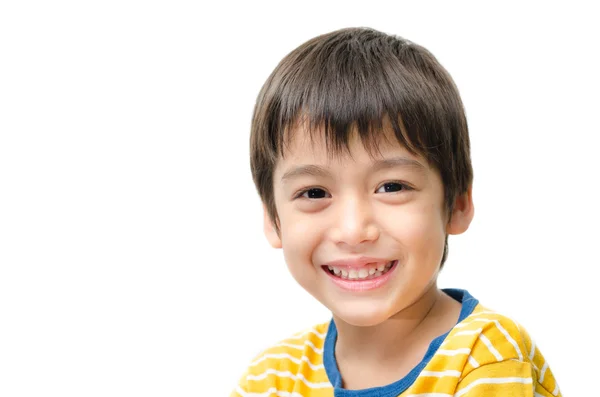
<point>353,79</point>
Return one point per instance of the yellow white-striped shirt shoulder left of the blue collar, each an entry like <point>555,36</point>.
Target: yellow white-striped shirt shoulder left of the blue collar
<point>291,364</point>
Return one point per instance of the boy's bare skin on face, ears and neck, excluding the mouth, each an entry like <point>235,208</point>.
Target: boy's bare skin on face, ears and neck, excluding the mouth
<point>347,207</point>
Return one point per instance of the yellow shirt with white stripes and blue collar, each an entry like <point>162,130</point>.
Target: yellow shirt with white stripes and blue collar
<point>485,354</point>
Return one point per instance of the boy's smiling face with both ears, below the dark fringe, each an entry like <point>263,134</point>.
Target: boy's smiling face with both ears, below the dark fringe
<point>359,215</point>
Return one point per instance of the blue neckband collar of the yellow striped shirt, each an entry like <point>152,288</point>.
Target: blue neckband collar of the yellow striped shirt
<point>398,387</point>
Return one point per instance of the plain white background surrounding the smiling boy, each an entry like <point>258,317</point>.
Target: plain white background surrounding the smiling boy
<point>132,260</point>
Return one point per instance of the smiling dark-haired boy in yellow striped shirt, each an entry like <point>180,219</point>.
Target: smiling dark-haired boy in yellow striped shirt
<point>360,154</point>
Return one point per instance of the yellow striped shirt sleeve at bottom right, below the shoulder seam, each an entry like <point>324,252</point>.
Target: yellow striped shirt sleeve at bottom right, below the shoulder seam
<point>504,378</point>
